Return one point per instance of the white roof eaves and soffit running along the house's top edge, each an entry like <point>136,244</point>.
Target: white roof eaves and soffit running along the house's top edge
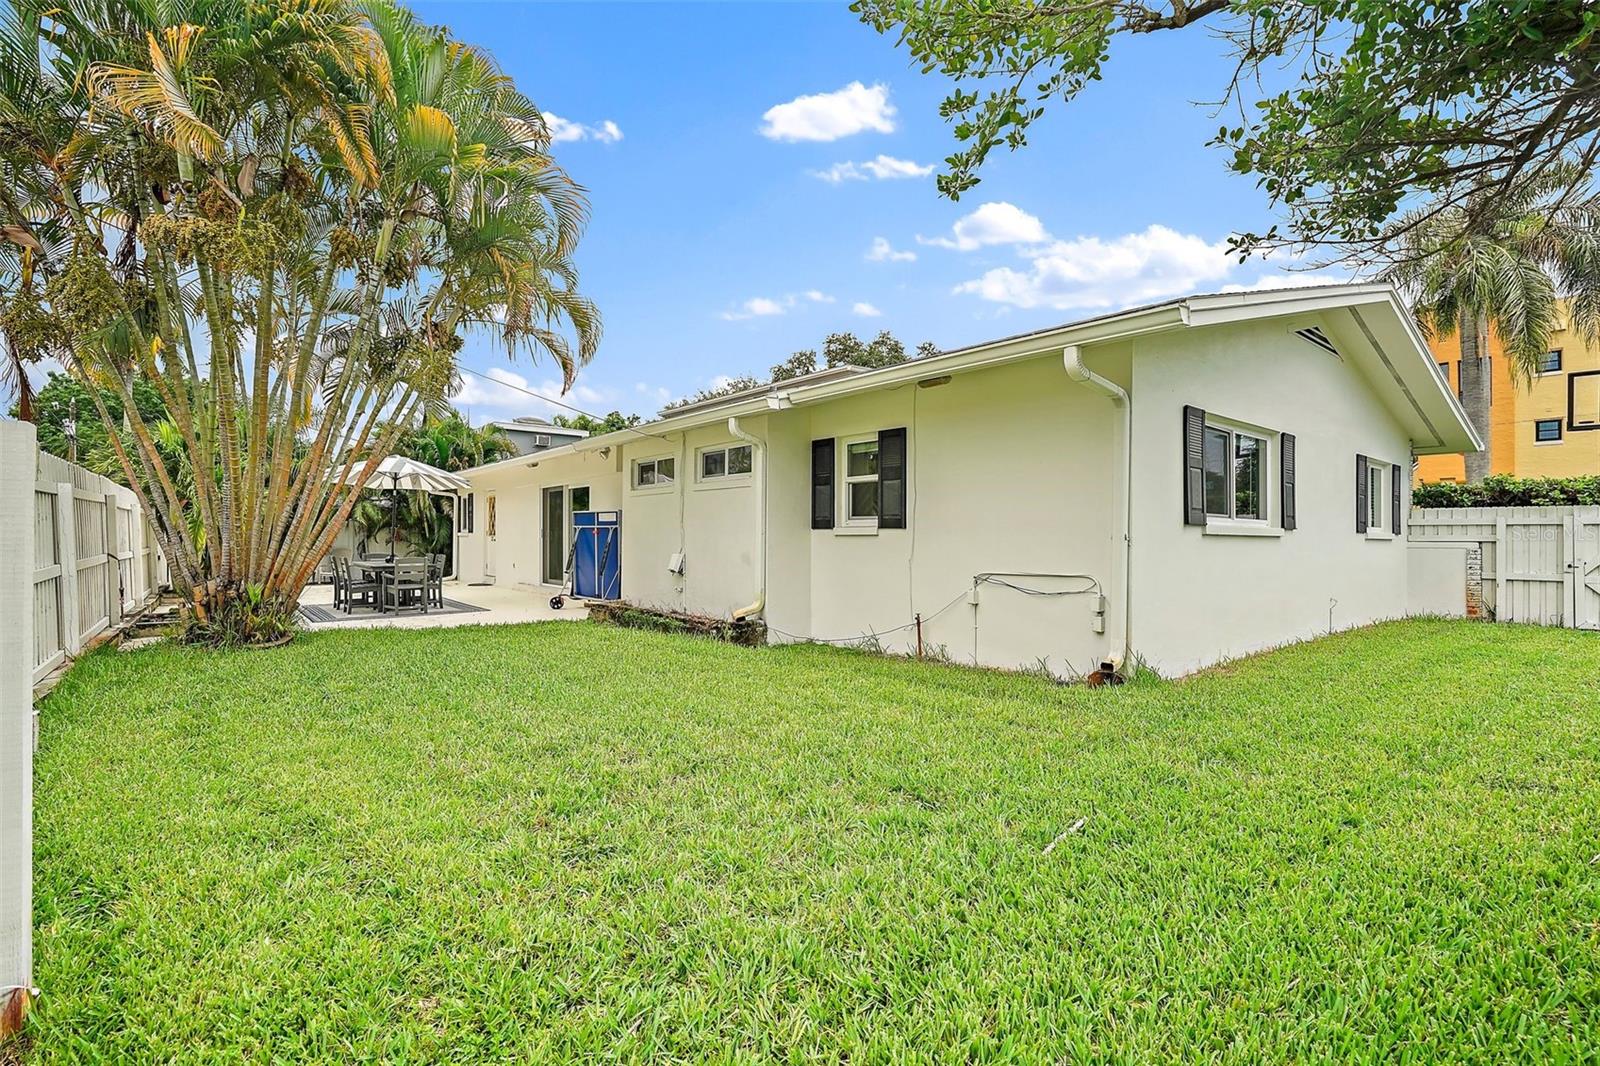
<point>1370,326</point>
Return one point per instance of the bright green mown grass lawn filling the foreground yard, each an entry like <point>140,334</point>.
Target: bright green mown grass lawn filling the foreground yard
<point>572,843</point>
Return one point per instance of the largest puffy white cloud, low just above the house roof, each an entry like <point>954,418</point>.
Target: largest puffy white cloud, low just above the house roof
<point>1098,275</point>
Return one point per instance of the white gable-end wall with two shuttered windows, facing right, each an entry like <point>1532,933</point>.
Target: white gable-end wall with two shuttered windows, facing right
<point>1198,596</point>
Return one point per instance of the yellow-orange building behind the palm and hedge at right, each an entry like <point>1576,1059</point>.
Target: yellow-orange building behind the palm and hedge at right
<point>1543,428</point>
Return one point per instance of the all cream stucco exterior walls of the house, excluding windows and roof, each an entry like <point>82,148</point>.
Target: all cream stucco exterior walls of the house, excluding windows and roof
<point>1015,470</point>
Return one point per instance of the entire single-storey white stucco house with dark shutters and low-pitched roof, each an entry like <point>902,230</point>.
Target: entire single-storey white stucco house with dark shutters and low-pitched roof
<point>1183,483</point>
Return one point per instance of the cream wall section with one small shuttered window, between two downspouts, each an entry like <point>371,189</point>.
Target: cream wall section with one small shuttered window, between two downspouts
<point>1007,471</point>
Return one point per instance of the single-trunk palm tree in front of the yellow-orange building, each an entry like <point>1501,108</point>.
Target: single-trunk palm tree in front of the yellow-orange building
<point>1505,263</point>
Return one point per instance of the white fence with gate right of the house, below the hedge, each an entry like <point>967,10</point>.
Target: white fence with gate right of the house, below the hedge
<point>1519,564</point>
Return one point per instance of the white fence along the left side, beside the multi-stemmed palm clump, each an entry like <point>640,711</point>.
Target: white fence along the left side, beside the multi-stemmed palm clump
<point>95,559</point>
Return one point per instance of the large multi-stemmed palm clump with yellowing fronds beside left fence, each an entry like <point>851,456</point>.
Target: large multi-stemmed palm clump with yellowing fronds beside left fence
<point>284,217</point>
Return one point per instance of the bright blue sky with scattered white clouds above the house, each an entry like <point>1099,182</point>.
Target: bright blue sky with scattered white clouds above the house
<point>719,244</point>
